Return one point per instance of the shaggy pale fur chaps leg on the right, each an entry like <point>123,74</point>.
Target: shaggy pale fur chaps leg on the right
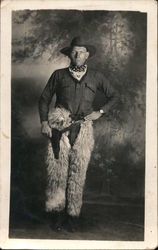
<point>80,155</point>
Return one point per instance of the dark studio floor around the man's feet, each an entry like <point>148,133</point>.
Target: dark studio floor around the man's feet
<point>103,221</point>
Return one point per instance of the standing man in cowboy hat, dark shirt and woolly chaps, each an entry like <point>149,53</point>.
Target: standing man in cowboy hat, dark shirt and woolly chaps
<point>70,129</point>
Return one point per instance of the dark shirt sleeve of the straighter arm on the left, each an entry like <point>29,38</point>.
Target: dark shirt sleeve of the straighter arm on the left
<point>46,97</point>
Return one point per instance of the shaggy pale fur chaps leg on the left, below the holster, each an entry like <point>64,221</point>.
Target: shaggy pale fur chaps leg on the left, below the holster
<point>57,174</point>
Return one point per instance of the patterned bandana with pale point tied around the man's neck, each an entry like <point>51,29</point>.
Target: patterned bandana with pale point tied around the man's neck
<point>78,72</point>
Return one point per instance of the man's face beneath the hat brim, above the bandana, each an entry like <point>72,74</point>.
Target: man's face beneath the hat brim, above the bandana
<point>79,55</point>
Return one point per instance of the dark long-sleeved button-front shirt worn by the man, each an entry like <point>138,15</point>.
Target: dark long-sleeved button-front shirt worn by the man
<point>76,96</point>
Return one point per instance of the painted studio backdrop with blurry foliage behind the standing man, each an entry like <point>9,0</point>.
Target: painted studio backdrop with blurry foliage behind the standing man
<point>116,174</point>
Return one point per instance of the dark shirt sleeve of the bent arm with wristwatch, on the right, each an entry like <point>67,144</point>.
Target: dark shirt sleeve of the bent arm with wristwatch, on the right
<point>111,95</point>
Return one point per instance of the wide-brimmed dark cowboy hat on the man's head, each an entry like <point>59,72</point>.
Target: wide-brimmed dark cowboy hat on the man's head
<point>78,41</point>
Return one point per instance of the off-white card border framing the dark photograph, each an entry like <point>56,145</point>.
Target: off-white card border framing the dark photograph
<point>148,6</point>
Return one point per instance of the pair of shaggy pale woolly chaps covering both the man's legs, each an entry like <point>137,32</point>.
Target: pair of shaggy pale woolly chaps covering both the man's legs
<point>67,175</point>
